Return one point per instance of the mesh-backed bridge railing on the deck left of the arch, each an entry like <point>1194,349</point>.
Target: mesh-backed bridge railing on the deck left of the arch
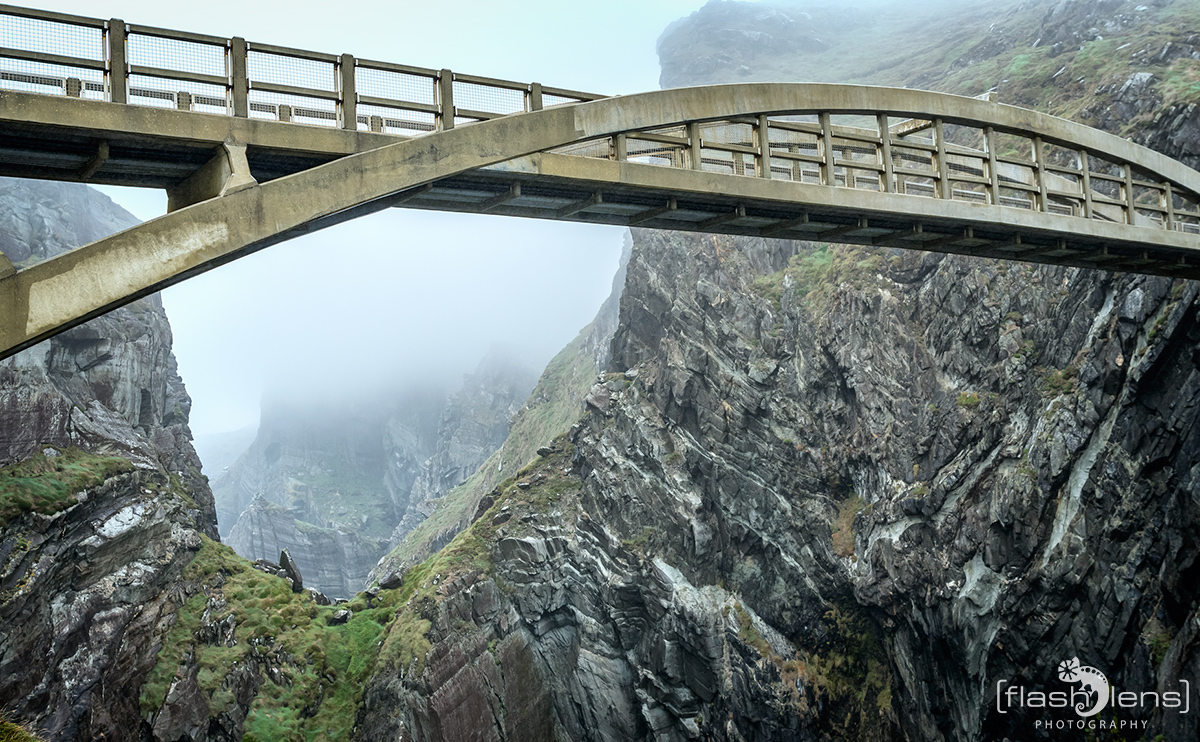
<point>111,61</point>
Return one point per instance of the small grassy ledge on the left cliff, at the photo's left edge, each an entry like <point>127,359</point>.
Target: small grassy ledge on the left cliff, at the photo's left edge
<point>49,484</point>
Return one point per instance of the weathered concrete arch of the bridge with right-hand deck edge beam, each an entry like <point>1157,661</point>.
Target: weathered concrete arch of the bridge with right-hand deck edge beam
<point>49,298</point>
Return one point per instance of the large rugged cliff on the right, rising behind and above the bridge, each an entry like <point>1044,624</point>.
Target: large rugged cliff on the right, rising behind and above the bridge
<point>832,493</point>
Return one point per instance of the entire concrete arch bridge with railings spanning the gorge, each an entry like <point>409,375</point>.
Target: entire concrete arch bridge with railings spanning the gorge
<point>257,143</point>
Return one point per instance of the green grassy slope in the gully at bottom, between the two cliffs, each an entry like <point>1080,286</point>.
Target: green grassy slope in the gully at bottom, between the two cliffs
<point>311,674</point>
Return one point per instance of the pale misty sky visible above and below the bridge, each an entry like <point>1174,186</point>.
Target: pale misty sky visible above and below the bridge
<point>403,294</point>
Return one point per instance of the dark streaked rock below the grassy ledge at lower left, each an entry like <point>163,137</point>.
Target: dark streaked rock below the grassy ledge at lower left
<point>88,597</point>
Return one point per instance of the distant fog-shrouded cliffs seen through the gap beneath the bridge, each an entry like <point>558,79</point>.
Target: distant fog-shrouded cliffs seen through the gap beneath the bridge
<point>340,484</point>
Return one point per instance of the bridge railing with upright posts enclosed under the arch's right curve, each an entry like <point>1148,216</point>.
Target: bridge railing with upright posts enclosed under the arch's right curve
<point>971,161</point>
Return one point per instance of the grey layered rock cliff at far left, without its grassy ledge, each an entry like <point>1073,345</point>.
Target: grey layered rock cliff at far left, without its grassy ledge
<point>85,594</point>
